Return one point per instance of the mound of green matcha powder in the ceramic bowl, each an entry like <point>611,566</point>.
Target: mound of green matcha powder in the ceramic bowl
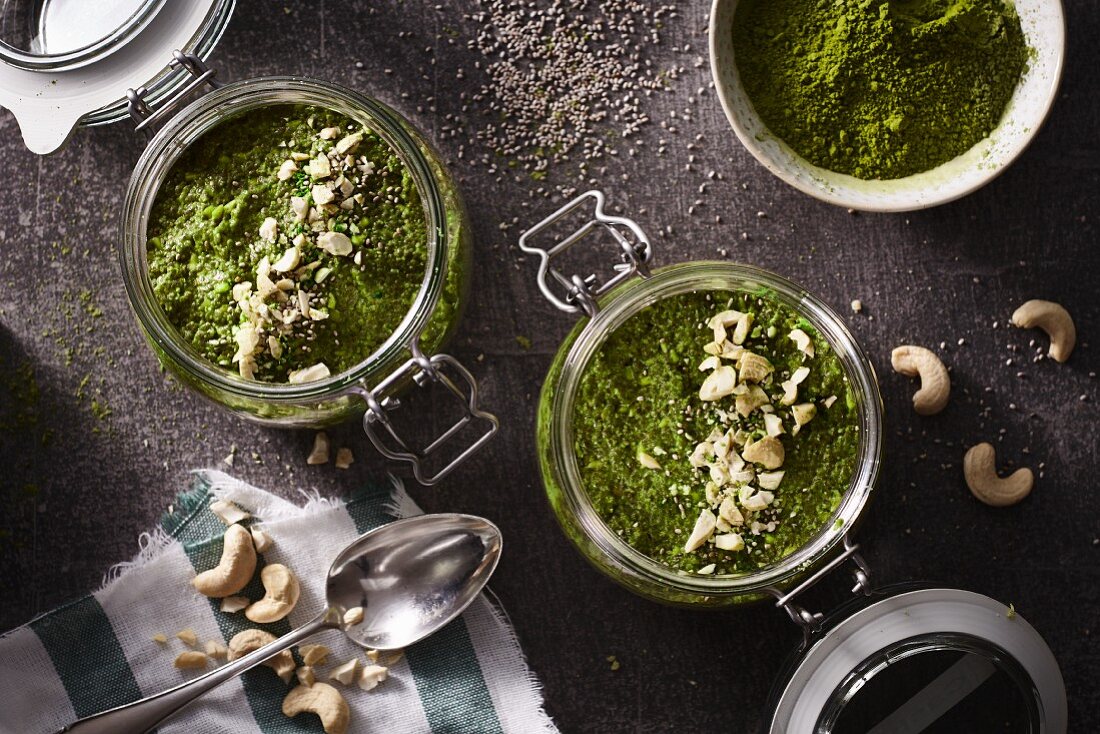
<point>879,89</point>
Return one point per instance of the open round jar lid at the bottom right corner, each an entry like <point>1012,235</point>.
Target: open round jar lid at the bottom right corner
<point>926,661</point>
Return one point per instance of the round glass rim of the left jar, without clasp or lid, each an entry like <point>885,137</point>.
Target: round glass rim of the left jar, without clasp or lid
<point>200,118</point>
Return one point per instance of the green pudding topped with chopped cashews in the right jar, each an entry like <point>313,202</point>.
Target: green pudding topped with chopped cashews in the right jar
<point>716,432</point>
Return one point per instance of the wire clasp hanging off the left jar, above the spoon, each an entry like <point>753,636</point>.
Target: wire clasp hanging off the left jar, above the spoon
<point>424,373</point>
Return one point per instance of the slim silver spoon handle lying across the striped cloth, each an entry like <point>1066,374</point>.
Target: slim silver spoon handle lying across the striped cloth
<point>144,715</point>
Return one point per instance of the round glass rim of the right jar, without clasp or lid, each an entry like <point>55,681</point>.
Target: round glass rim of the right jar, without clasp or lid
<point>632,298</point>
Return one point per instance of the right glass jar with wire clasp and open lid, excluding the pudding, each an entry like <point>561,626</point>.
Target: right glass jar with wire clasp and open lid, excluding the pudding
<point>892,659</point>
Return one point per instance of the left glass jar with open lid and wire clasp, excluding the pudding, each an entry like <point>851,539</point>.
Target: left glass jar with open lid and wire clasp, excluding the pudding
<point>65,65</point>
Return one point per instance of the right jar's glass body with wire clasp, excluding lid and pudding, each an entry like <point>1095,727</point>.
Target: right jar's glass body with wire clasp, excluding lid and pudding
<point>609,310</point>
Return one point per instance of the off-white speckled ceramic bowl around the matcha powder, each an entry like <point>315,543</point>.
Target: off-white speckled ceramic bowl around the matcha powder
<point>1043,25</point>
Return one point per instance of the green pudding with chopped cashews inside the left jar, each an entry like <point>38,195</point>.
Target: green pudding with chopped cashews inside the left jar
<point>288,245</point>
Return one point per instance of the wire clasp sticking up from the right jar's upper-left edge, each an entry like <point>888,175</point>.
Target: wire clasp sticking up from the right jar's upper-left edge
<point>581,293</point>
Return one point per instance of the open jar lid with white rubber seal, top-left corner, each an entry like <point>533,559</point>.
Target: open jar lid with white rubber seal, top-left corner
<point>65,63</point>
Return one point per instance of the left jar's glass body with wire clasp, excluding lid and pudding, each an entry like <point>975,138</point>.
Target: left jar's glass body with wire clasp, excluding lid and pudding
<point>369,387</point>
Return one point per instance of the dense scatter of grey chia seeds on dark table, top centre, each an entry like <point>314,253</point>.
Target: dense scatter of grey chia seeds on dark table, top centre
<point>567,81</point>
